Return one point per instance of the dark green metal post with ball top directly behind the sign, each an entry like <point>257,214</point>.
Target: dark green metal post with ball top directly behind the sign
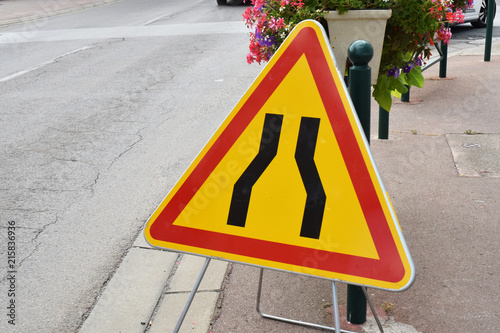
<point>360,53</point>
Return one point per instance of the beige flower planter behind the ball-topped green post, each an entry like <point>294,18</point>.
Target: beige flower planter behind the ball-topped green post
<point>357,24</point>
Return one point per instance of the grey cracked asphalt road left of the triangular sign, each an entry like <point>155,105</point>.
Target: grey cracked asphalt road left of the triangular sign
<point>101,112</point>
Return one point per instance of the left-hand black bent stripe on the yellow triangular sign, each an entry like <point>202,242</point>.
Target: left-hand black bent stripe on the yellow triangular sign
<point>243,187</point>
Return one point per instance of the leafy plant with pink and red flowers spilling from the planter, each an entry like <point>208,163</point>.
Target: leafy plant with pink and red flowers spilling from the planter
<point>415,25</point>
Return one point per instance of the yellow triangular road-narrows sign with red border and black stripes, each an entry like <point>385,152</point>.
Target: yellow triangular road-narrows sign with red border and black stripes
<point>288,181</point>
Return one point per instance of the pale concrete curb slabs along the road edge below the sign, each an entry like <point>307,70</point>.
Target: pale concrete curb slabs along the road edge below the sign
<point>149,290</point>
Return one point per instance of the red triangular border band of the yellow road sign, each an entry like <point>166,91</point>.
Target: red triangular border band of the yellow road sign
<point>388,268</point>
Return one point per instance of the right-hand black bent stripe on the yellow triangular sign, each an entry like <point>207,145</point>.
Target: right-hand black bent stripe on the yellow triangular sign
<point>316,198</point>
